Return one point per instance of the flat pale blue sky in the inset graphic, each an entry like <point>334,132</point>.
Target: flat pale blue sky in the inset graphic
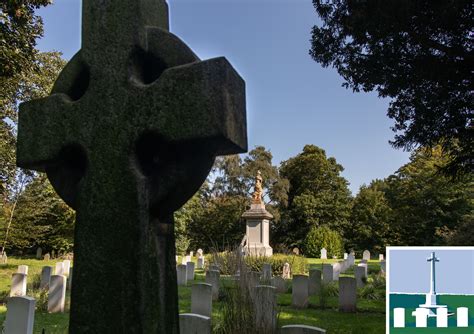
<point>410,272</point>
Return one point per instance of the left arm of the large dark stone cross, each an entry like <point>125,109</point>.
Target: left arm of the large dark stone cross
<point>43,130</point>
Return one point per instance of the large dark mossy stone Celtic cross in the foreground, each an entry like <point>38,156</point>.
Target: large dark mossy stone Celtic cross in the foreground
<point>128,135</point>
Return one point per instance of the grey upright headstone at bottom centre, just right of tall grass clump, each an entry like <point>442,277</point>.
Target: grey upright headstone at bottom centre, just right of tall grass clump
<point>265,309</point>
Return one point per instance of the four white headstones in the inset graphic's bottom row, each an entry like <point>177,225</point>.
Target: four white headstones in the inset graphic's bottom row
<point>421,316</point>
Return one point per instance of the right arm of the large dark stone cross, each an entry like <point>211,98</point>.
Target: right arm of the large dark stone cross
<point>201,101</point>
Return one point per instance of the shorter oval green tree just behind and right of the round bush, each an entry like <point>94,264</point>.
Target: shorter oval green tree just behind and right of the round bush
<point>370,219</point>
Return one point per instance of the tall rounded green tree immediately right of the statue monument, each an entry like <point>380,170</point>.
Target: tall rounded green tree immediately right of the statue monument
<point>318,195</point>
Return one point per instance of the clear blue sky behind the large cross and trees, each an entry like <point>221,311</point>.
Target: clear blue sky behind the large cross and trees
<point>291,100</point>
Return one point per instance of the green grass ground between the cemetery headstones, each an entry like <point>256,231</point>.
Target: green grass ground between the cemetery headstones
<point>369,318</point>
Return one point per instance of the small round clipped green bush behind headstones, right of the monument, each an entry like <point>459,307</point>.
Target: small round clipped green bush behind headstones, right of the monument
<point>323,237</point>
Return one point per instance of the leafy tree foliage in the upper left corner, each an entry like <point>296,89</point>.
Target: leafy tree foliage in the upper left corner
<point>19,29</point>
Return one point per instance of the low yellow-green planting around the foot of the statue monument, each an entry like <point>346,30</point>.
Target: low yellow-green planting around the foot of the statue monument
<point>228,262</point>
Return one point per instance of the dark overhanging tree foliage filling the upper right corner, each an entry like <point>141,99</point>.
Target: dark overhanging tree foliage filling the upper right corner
<point>419,54</point>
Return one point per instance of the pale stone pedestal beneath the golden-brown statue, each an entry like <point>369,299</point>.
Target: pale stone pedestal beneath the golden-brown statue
<point>258,230</point>
